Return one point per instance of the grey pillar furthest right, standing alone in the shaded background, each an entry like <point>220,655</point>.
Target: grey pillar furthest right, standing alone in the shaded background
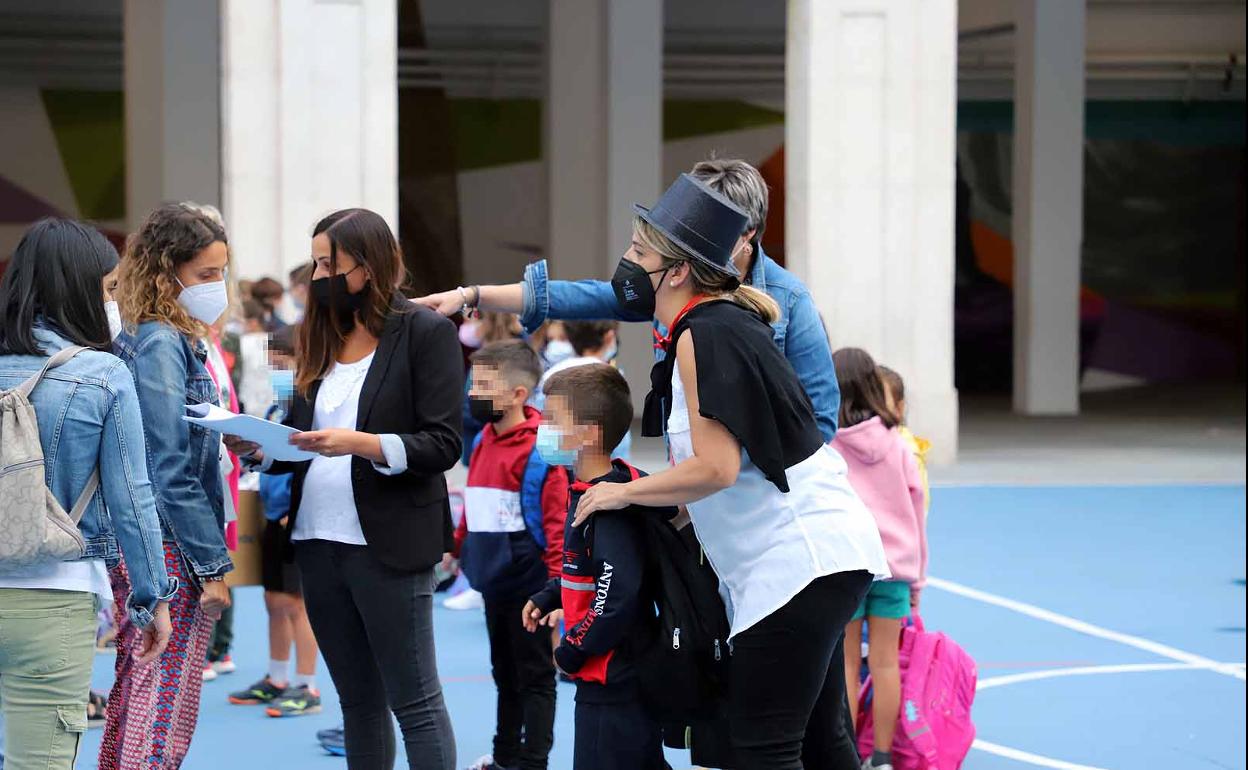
<point>1048,204</point>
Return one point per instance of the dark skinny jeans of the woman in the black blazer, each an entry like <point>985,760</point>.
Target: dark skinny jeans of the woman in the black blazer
<point>375,626</point>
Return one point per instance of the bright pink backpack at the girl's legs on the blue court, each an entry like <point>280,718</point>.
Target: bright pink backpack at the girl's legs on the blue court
<point>938,687</point>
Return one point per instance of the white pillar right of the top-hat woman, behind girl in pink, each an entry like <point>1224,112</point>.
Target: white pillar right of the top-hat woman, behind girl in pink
<point>870,112</point>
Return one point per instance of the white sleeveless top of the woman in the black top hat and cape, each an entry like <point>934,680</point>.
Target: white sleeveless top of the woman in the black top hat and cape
<point>767,546</point>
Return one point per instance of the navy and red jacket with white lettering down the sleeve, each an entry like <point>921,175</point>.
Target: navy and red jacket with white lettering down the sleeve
<point>607,608</point>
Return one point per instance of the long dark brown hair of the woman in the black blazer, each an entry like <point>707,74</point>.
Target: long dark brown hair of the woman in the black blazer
<point>368,238</point>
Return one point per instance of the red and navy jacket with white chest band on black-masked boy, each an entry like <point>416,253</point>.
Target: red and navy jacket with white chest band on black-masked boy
<point>506,551</point>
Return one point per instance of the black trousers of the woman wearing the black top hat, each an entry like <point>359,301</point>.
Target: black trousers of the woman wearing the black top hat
<point>788,686</point>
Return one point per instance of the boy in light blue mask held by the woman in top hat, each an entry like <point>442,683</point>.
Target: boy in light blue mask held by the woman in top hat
<point>603,591</point>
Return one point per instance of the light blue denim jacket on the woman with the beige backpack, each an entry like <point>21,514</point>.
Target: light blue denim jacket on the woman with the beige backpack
<point>89,419</point>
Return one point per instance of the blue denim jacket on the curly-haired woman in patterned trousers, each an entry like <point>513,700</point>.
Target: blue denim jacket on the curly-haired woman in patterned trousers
<point>183,460</point>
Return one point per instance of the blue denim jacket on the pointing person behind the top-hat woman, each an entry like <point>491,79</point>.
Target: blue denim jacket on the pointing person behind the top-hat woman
<point>799,333</point>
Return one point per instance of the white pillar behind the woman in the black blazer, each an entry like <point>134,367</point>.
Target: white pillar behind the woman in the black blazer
<point>310,123</point>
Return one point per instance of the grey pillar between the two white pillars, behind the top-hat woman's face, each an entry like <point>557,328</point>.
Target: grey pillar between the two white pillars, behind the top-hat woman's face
<point>603,143</point>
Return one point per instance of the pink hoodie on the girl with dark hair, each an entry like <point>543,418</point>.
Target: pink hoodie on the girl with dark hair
<point>884,474</point>
